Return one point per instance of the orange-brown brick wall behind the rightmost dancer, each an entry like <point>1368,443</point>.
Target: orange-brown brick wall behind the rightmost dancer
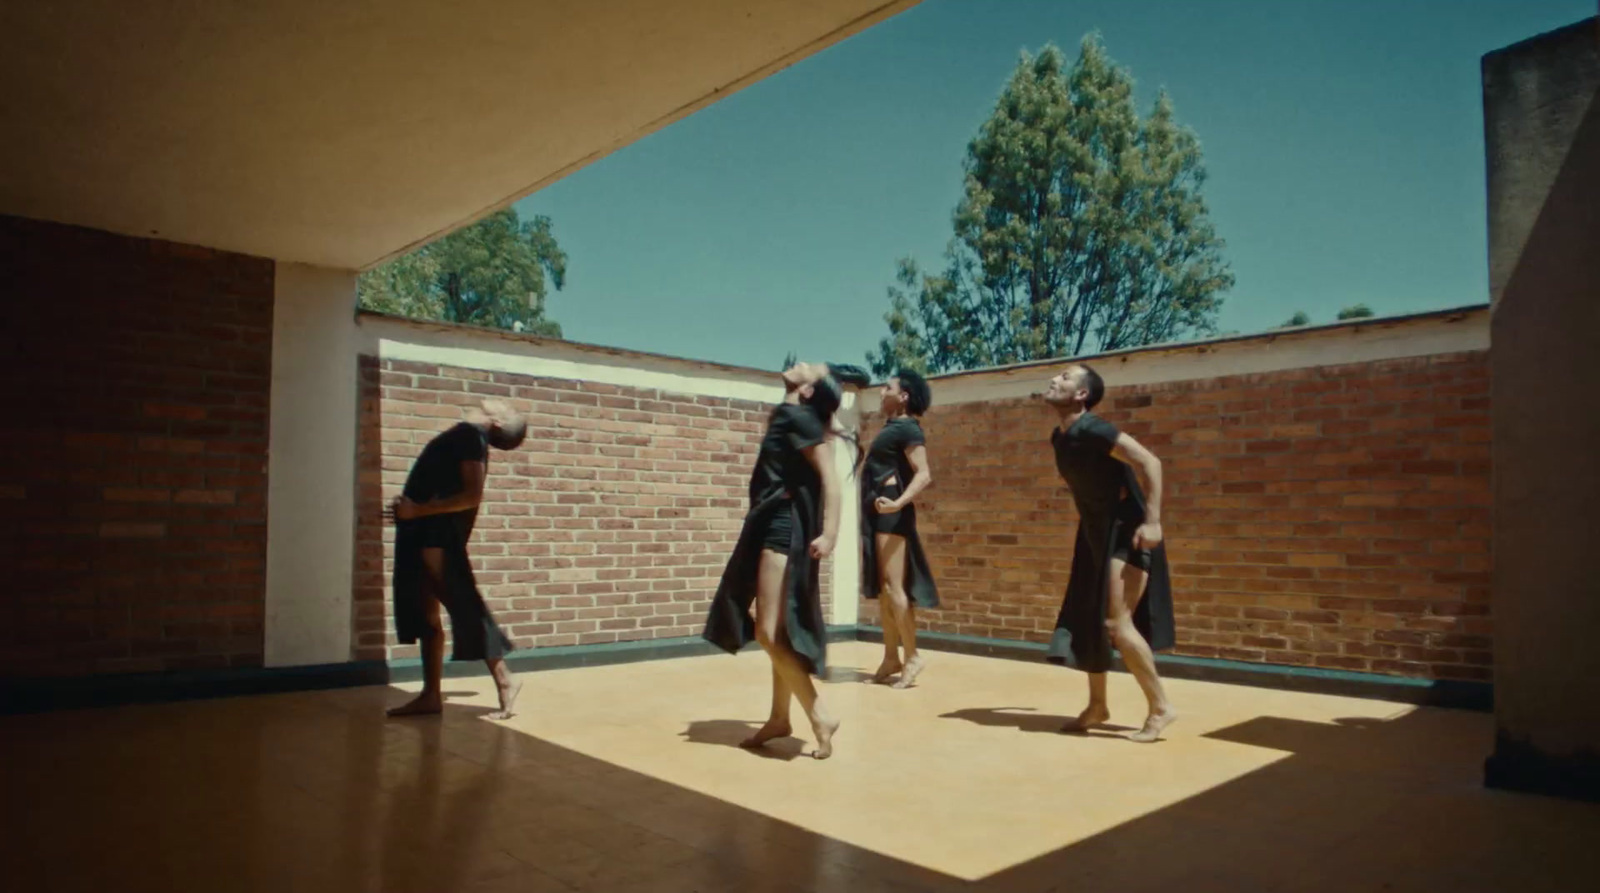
<point>1334,518</point>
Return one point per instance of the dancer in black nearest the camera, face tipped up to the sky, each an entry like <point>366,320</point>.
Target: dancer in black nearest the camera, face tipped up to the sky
<point>793,524</point>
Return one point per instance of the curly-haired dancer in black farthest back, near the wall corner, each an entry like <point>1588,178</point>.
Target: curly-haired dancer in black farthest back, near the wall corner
<point>894,567</point>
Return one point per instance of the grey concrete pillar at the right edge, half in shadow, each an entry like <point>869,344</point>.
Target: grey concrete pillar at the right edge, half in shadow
<point>1543,142</point>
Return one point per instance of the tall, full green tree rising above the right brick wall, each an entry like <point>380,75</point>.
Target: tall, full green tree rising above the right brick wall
<point>1081,228</point>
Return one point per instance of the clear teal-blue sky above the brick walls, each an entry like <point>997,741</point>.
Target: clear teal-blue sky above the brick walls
<point>1345,145</point>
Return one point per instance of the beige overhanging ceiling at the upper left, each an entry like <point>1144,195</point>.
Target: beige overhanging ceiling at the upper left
<point>342,132</point>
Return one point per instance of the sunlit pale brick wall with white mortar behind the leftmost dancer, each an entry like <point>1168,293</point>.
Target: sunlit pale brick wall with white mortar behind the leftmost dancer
<point>614,521</point>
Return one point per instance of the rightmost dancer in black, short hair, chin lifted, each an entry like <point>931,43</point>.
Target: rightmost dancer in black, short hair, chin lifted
<point>1119,593</point>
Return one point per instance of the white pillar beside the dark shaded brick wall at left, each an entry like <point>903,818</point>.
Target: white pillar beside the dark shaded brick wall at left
<point>311,468</point>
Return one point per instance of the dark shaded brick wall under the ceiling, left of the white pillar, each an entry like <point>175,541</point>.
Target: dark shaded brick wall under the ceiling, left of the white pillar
<point>132,455</point>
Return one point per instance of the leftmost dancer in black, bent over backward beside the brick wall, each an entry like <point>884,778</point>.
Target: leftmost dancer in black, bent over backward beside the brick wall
<point>434,519</point>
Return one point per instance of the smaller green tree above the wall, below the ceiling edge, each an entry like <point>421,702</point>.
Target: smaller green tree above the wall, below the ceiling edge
<point>494,273</point>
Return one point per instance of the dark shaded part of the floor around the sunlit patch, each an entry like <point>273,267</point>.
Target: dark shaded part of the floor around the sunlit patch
<point>319,793</point>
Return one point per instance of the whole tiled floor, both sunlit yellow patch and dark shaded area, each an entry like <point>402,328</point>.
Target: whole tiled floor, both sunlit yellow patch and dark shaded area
<point>625,779</point>
